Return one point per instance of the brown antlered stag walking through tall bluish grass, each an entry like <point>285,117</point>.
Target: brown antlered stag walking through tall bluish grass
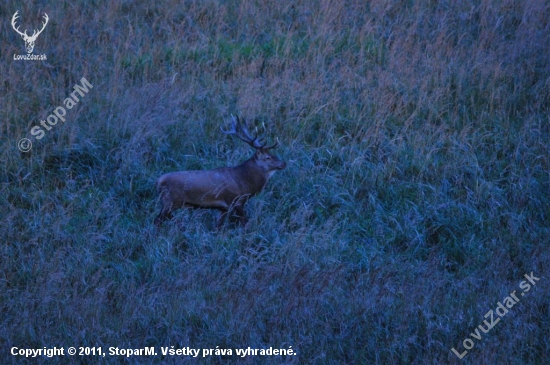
<point>226,189</point>
